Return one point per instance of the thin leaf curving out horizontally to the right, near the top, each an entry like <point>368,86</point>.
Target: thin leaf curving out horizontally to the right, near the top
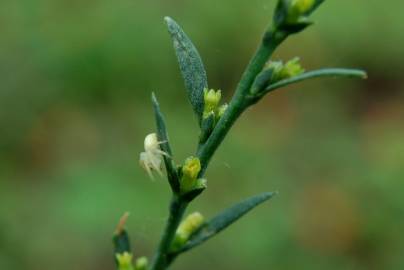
<point>326,72</point>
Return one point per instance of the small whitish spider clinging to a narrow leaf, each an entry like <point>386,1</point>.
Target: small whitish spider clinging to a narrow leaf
<point>152,158</point>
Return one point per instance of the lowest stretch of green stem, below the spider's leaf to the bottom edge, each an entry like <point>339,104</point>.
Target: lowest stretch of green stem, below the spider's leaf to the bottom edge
<point>177,209</point>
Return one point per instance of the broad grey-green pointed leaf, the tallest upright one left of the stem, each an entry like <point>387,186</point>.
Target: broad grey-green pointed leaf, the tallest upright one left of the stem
<point>192,69</point>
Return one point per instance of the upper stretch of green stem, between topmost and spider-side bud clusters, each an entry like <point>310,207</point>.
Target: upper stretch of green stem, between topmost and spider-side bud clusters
<point>272,38</point>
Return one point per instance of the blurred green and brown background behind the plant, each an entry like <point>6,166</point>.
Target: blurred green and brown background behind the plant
<point>75,82</point>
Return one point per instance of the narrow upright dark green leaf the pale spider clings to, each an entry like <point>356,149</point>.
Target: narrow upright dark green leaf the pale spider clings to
<point>165,146</point>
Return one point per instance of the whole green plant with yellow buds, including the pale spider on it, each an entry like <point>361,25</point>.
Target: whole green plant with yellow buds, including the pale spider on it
<point>215,119</point>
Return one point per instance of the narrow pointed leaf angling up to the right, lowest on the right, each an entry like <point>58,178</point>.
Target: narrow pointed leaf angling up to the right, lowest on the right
<point>225,219</point>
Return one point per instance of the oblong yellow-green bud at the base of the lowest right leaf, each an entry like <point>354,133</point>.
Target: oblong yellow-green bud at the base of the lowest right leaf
<point>187,227</point>
